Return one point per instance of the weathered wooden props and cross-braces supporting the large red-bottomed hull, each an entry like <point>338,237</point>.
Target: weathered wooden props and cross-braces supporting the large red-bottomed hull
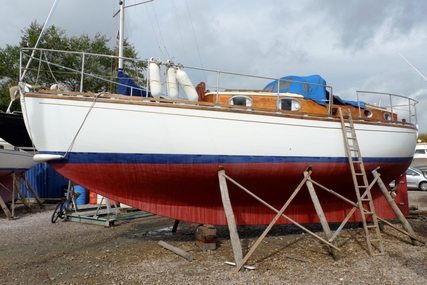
<point>335,251</point>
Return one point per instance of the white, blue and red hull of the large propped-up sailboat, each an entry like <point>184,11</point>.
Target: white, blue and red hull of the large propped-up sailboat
<point>164,159</point>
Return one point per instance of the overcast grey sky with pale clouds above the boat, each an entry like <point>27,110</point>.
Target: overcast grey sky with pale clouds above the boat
<point>353,45</point>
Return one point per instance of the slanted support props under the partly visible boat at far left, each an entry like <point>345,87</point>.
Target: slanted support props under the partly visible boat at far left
<point>19,180</point>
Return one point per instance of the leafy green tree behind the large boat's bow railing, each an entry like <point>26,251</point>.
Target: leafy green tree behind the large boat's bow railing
<point>41,73</point>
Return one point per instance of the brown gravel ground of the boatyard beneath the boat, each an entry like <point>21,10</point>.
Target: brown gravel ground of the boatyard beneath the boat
<point>35,251</point>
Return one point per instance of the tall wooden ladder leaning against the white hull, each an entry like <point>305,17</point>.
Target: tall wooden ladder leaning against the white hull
<point>361,184</point>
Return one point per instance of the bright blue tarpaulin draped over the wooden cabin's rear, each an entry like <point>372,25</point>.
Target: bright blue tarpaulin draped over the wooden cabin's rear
<point>311,87</point>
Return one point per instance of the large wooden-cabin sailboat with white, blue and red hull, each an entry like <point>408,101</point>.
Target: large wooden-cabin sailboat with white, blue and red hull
<point>161,152</point>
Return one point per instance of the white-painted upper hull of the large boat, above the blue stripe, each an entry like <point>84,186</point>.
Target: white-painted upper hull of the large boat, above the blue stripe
<point>59,126</point>
